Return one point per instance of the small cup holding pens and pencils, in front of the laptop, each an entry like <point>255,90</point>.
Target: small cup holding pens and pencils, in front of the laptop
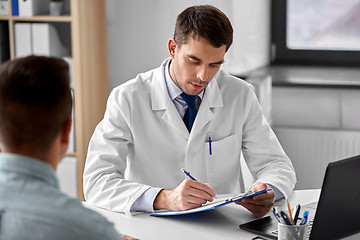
<point>296,232</point>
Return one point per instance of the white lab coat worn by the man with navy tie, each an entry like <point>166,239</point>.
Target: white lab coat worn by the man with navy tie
<point>143,142</point>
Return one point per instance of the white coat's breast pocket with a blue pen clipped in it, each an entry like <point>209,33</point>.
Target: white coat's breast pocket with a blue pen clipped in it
<point>223,165</point>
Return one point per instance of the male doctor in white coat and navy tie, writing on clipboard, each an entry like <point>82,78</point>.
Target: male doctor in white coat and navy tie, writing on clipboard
<point>148,133</point>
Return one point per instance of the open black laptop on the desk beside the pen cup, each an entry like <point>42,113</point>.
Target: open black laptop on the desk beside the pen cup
<point>336,214</point>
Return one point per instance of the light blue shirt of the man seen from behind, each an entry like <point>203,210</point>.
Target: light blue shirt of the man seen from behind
<point>33,207</point>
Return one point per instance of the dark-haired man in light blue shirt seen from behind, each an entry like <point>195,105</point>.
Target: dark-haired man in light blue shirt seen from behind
<point>35,121</point>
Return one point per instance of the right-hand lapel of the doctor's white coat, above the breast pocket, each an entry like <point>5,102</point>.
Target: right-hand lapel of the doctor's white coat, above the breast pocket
<point>212,99</point>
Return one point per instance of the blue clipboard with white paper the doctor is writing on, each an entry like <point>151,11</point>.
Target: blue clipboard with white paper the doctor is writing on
<point>209,205</point>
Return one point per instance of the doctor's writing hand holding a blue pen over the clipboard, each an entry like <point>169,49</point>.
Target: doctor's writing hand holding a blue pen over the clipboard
<point>189,194</point>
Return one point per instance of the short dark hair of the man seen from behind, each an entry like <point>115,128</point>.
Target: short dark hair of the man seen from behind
<point>35,102</point>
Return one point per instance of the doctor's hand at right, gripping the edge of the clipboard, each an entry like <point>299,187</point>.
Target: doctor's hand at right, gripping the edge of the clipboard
<point>260,204</point>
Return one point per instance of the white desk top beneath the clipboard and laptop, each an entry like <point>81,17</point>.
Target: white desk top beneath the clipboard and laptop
<point>221,223</point>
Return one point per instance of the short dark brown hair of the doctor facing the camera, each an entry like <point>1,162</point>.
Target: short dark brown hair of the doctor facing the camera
<point>204,21</point>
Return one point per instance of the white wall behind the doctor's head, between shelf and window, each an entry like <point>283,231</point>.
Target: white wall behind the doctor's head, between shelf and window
<point>138,31</point>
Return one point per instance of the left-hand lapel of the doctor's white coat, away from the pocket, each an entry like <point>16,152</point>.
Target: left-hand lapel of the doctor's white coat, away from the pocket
<point>161,101</point>
